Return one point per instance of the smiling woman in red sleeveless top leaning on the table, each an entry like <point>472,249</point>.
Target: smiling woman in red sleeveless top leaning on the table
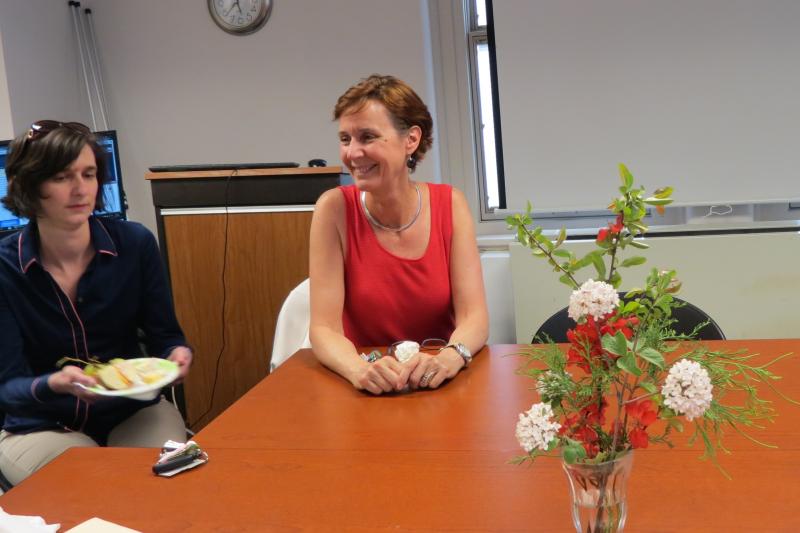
<point>392,259</point>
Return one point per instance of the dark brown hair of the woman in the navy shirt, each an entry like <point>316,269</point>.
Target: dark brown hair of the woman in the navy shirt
<point>32,161</point>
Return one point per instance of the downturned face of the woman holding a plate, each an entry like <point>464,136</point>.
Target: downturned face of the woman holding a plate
<point>68,198</point>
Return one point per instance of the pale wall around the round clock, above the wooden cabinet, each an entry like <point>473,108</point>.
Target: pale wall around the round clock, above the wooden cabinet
<point>183,91</point>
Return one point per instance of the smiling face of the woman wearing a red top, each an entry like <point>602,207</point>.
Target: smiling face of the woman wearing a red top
<point>372,148</point>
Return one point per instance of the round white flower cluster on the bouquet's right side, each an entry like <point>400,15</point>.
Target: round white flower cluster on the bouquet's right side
<point>687,389</point>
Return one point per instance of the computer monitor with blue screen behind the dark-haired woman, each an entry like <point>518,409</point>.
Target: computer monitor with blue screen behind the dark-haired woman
<point>113,193</point>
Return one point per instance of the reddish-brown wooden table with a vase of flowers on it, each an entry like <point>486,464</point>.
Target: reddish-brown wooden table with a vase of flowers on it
<point>303,450</point>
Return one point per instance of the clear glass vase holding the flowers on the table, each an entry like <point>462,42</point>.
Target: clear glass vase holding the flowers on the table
<point>599,493</point>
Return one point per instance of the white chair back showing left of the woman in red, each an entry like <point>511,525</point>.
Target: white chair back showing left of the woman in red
<point>291,330</point>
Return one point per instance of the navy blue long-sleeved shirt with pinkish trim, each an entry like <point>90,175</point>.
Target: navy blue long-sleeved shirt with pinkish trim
<point>124,289</point>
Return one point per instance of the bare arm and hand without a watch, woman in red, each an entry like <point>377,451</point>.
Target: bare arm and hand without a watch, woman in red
<point>326,270</point>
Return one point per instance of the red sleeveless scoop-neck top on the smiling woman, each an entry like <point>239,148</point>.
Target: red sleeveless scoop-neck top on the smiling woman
<point>389,298</point>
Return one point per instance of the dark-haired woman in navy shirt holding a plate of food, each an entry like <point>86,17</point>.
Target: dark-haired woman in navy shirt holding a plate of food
<point>75,285</point>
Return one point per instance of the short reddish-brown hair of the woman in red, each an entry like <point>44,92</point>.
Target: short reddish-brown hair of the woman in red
<point>405,107</point>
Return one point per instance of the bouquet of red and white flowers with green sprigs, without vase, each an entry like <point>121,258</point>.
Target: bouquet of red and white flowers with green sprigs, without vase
<point>622,371</point>
